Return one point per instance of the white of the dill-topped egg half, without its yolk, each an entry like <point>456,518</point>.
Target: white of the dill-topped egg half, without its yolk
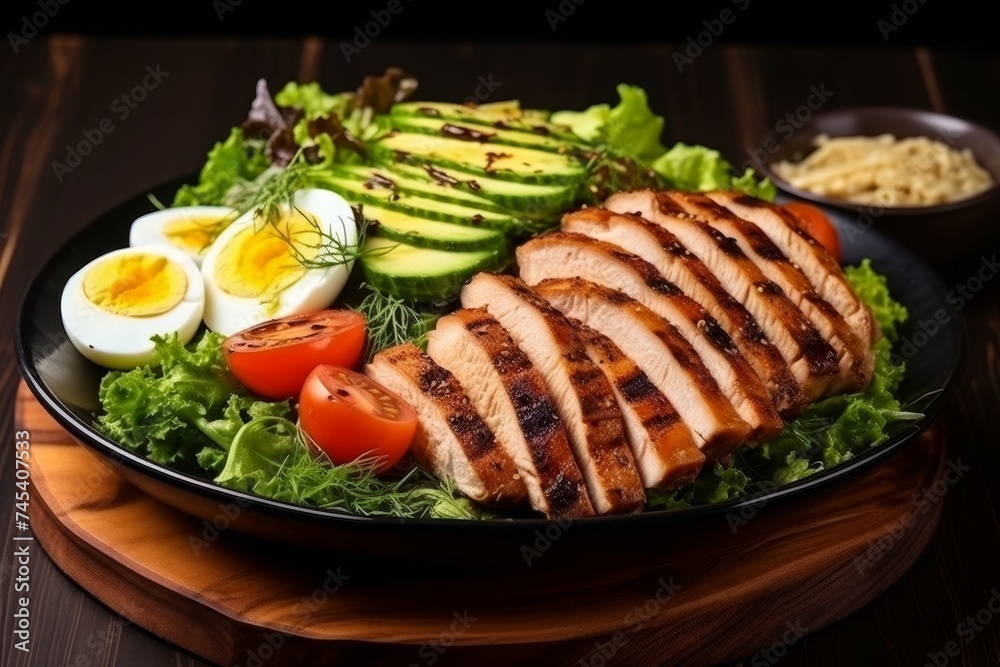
<point>315,290</point>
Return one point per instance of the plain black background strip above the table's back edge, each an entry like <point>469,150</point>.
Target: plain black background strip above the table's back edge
<point>946,23</point>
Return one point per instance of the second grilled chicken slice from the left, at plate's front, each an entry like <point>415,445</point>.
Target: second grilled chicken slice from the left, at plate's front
<point>511,396</point>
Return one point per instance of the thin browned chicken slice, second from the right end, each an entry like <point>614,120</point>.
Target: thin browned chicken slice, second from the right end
<point>855,359</point>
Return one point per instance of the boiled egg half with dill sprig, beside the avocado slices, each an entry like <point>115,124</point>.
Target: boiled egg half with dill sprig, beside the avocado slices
<point>257,270</point>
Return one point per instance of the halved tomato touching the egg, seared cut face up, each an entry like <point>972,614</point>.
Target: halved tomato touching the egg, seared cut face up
<point>274,358</point>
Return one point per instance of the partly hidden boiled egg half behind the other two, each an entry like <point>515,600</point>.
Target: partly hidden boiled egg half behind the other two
<point>188,228</point>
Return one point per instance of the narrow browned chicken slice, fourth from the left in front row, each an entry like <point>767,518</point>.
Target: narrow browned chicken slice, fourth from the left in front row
<point>663,447</point>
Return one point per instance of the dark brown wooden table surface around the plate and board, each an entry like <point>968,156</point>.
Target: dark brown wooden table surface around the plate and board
<point>60,88</point>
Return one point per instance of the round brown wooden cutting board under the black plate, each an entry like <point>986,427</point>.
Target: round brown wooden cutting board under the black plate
<point>726,592</point>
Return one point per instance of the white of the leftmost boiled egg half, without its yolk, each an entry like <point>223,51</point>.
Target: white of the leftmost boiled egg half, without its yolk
<point>123,342</point>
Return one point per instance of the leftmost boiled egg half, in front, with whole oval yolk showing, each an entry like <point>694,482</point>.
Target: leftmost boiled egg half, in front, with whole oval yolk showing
<point>113,306</point>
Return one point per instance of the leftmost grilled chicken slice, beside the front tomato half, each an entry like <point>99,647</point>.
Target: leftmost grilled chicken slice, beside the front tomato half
<point>452,438</point>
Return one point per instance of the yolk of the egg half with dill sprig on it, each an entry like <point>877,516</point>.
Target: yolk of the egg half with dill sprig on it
<point>259,262</point>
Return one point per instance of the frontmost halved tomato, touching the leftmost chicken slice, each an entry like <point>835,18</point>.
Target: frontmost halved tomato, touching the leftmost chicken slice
<point>350,416</point>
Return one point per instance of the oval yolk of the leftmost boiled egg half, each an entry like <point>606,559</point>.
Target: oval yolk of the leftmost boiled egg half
<point>139,285</point>
